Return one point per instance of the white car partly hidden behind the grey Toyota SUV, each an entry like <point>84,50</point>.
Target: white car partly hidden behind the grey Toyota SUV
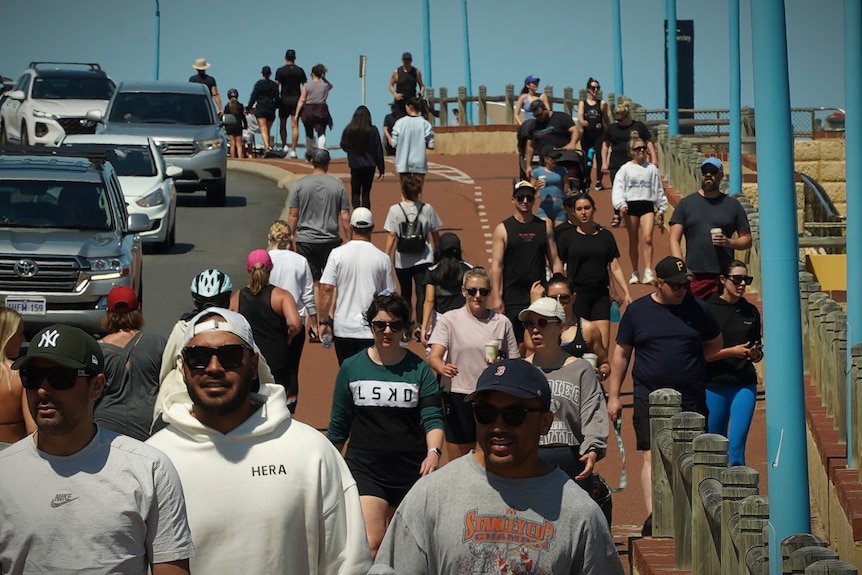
<point>147,182</point>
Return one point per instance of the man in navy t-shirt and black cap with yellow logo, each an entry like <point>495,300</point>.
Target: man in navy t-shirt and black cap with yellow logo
<point>671,333</point>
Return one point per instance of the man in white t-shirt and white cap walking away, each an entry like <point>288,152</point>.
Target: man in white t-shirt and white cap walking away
<point>360,271</point>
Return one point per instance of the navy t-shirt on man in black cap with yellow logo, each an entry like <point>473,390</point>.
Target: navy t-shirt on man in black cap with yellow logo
<point>668,345</point>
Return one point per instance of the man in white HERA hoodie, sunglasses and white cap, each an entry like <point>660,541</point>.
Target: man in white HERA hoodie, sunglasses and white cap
<point>265,493</point>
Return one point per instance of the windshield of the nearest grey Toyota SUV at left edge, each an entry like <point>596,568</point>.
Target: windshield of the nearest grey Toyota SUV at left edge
<point>46,204</point>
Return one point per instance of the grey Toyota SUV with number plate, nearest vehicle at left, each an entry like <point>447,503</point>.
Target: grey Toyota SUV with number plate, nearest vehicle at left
<point>66,238</point>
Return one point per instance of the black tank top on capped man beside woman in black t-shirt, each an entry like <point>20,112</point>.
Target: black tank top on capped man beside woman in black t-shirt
<point>524,258</point>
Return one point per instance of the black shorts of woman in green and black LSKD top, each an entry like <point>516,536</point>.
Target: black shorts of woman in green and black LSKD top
<point>384,474</point>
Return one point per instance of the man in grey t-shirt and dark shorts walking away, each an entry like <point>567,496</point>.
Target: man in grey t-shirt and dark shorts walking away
<point>317,210</point>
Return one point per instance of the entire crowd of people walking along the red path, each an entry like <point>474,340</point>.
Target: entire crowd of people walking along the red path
<point>471,405</point>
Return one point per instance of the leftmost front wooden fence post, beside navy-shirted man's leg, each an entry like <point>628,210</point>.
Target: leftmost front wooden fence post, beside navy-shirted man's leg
<point>664,404</point>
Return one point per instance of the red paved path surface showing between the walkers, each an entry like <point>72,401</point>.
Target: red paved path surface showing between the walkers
<point>463,205</point>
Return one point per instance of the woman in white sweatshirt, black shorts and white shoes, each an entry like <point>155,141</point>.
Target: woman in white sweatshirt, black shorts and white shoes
<point>637,193</point>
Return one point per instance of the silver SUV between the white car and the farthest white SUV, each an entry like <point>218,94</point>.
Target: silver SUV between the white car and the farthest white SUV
<point>183,121</point>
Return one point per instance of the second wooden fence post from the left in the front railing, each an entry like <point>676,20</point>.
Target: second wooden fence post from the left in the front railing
<point>686,426</point>
